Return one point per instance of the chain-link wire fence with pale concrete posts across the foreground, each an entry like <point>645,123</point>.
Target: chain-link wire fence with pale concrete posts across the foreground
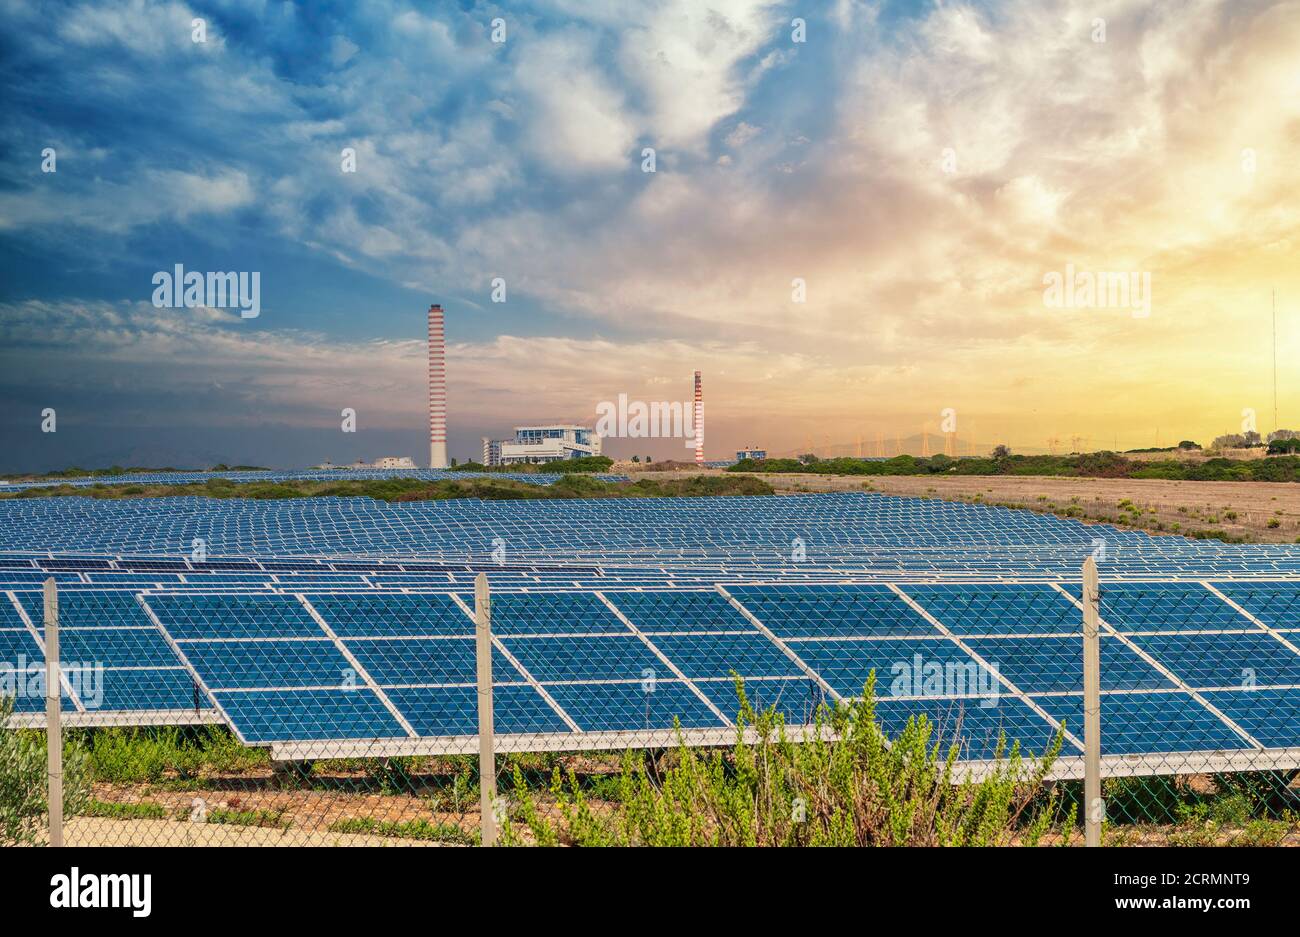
<point>768,714</point>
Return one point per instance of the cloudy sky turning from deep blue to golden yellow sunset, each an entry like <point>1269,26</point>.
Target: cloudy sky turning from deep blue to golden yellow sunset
<point>853,228</point>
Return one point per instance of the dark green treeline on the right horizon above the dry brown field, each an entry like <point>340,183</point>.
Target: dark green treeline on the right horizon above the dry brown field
<point>1090,466</point>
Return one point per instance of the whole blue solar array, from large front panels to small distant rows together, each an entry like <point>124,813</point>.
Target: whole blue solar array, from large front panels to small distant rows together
<point>327,621</point>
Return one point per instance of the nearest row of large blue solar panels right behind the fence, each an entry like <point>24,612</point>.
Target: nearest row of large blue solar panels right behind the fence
<point>280,675</point>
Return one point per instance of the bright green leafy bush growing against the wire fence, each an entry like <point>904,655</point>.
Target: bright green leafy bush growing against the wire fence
<point>857,791</point>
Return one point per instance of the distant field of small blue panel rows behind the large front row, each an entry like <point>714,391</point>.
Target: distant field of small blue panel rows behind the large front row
<point>856,532</point>
